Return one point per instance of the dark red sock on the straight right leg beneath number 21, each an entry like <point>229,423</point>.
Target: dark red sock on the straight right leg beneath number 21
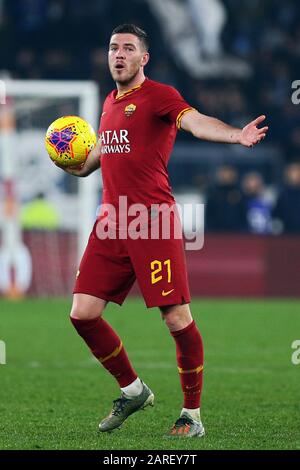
<point>189,353</point>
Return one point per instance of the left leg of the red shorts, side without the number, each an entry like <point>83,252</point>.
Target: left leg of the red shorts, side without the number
<point>105,270</point>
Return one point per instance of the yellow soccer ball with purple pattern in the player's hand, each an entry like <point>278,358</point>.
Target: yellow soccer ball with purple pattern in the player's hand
<point>69,140</point>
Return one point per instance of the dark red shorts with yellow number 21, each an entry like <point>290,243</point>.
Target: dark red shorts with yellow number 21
<point>109,268</point>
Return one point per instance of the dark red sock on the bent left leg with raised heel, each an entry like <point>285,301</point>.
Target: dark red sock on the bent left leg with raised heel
<point>107,347</point>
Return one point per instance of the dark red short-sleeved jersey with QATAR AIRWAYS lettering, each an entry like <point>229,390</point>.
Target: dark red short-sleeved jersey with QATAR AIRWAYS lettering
<point>138,130</point>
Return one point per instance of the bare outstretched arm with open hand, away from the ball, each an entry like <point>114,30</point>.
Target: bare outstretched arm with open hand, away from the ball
<point>209,128</point>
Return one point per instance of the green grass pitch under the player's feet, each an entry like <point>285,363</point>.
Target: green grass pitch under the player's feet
<point>53,394</point>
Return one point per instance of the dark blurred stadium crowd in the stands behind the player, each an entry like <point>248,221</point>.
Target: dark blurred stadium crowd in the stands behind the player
<point>67,39</point>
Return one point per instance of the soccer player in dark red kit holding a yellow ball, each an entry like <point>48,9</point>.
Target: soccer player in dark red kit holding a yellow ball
<point>137,130</point>
